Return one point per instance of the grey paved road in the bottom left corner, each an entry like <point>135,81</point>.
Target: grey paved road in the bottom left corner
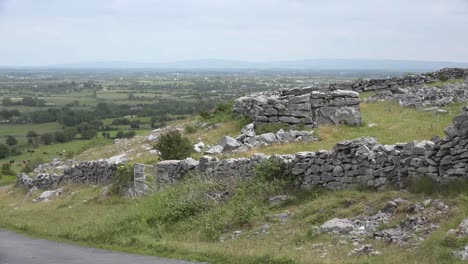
<point>18,249</point>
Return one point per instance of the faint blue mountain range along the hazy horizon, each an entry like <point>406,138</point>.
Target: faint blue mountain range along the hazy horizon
<point>314,64</point>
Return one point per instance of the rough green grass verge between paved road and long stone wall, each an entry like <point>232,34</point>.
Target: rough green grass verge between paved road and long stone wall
<point>165,223</point>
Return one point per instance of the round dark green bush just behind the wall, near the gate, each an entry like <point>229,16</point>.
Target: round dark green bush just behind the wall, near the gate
<point>173,145</point>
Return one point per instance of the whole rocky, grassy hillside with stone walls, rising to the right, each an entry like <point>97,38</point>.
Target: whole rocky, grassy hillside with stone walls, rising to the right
<point>272,211</point>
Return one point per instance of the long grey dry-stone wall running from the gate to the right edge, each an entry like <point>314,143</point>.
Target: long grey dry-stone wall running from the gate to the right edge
<point>359,162</point>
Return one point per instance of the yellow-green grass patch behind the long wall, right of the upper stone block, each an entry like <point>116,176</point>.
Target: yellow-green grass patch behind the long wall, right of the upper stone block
<point>394,124</point>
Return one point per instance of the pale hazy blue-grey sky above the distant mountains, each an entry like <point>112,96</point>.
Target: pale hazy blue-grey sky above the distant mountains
<point>41,32</point>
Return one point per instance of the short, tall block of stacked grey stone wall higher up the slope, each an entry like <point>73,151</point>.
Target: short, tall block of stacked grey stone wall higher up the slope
<point>312,108</point>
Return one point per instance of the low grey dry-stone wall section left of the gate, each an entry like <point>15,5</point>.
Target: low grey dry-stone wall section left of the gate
<point>90,172</point>
